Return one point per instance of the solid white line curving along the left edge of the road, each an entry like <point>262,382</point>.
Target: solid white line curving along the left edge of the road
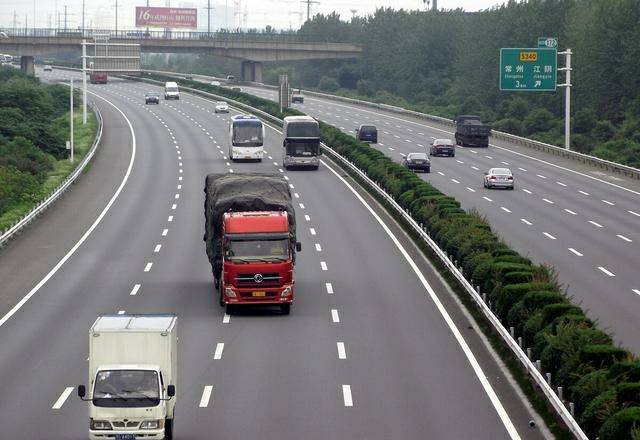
<point>84,237</point>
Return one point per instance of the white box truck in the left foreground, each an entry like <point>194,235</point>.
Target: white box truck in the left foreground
<point>132,377</point>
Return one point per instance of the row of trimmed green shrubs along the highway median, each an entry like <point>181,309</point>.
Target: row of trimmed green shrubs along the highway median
<point>600,377</point>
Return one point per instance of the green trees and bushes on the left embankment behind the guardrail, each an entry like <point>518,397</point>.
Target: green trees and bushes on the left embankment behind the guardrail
<point>33,131</point>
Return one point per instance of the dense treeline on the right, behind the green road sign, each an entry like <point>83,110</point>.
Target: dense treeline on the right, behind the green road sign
<point>447,63</point>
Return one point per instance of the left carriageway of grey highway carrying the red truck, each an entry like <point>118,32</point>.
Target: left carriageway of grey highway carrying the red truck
<point>376,346</point>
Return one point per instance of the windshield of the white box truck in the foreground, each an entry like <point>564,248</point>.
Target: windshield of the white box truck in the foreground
<point>126,388</point>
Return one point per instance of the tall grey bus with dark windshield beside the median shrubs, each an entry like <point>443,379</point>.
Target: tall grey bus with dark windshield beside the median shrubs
<point>301,145</point>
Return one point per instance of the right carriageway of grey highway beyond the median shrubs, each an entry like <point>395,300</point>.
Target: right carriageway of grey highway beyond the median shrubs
<point>576,218</point>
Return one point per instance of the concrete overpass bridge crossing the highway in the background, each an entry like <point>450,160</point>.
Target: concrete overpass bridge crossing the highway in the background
<point>253,48</point>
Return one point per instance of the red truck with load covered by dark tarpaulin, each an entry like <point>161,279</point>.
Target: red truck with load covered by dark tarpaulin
<point>250,239</point>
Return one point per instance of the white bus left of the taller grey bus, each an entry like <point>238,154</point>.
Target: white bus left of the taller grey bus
<point>246,138</point>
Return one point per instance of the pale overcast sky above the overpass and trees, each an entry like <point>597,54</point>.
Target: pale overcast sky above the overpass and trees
<point>259,13</point>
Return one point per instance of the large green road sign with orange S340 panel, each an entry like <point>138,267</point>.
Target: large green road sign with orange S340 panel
<point>528,69</point>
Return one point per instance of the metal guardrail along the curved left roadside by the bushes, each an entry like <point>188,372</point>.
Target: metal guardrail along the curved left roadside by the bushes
<point>61,189</point>
